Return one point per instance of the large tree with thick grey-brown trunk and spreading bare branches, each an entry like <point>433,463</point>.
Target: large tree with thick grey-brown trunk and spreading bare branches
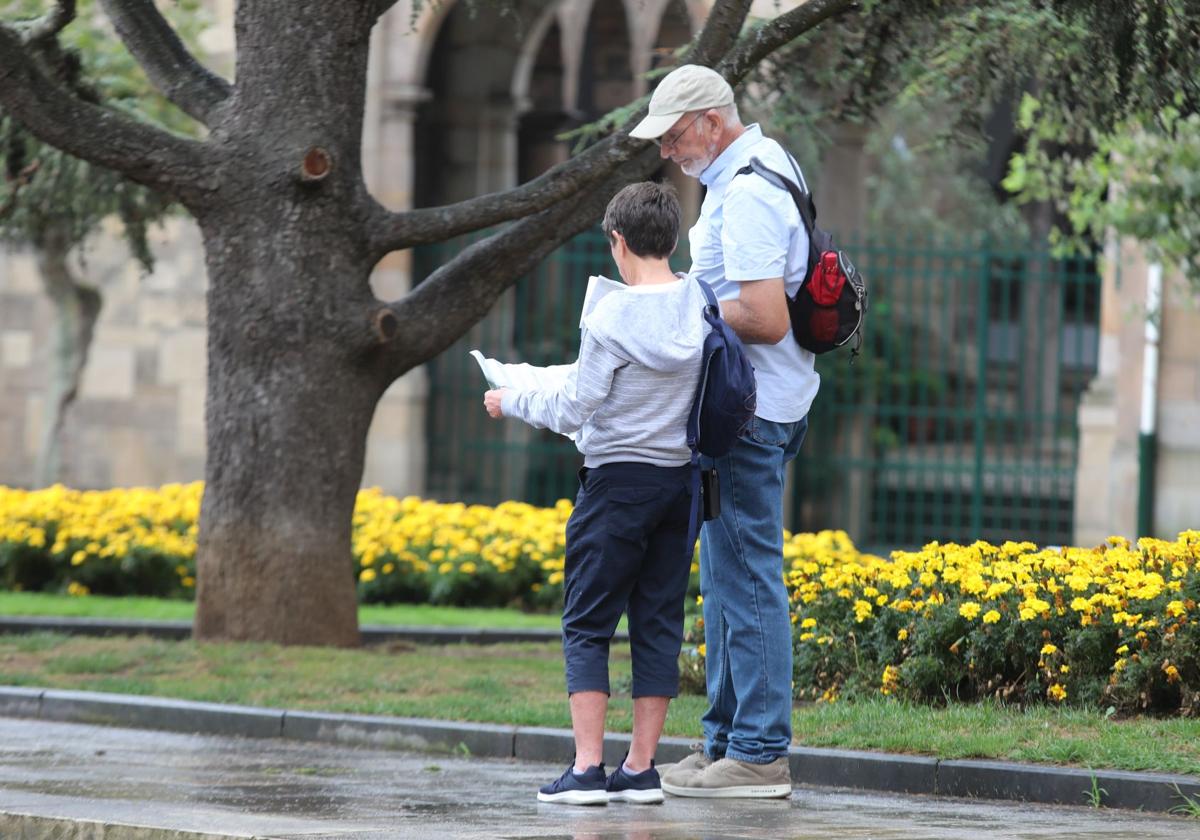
<point>301,350</point>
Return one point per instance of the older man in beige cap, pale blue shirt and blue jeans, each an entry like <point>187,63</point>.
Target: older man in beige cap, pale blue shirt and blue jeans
<point>752,247</point>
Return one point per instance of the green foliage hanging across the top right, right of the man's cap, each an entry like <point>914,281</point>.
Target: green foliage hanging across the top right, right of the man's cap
<point>1111,95</point>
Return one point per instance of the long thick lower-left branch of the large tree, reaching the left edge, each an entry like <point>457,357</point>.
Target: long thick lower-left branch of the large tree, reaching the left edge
<point>147,155</point>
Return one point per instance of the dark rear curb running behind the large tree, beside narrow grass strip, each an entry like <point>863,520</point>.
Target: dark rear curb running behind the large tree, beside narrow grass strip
<point>373,634</point>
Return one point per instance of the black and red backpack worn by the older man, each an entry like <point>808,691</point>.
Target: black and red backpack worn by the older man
<point>829,309</point>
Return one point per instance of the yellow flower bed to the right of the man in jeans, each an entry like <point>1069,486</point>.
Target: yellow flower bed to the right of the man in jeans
<point>1114,627</point>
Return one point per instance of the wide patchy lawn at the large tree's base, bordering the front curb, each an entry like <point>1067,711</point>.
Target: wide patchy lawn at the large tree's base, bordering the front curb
<point>524,685</point>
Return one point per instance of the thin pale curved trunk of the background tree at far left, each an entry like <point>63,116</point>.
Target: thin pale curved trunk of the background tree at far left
<point>76,310</point>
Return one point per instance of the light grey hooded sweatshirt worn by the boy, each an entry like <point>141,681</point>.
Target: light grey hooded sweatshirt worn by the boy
<point>631,392</point>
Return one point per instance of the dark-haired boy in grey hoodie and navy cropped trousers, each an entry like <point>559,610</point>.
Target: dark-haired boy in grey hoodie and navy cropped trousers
<point>628,397</point>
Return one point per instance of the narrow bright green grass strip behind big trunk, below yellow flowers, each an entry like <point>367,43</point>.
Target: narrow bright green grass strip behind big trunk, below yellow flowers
<point>161,609</point>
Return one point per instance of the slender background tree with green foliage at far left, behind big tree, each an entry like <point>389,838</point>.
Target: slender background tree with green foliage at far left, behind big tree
<point>52,201</point>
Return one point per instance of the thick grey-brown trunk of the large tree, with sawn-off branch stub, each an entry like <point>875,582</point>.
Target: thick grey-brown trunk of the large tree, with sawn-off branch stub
<point>291,383</point>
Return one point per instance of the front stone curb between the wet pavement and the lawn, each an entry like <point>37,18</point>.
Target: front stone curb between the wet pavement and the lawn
<point>811,766</point>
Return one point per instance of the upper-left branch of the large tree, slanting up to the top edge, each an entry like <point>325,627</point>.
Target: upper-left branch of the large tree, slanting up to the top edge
<point>169,64</point>
